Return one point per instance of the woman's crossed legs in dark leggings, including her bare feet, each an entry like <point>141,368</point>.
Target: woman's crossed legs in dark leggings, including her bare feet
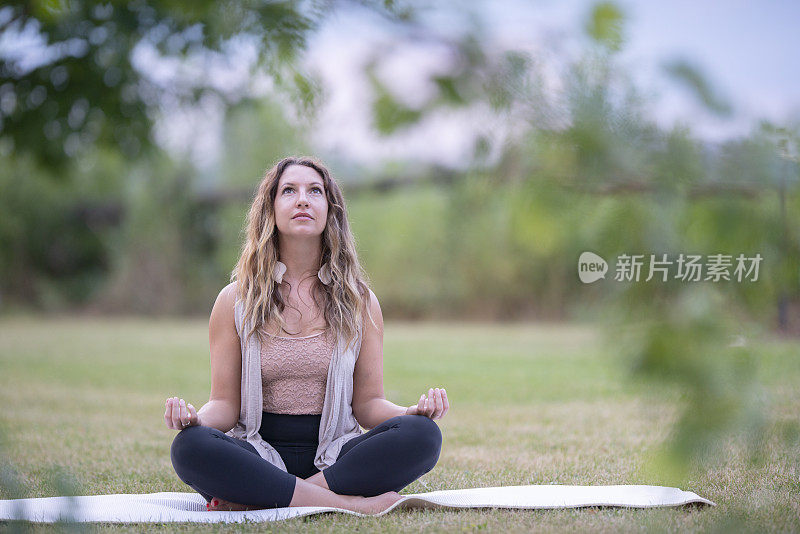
<point>384,460</point>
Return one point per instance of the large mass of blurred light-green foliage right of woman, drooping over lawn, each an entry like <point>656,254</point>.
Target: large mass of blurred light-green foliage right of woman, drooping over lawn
<point>517,229</point>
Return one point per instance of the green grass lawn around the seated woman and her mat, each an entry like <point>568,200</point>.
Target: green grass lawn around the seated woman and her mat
<point>531,404</point>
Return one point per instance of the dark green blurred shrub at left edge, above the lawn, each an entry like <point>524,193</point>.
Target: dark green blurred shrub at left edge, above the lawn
<point>49,256</point>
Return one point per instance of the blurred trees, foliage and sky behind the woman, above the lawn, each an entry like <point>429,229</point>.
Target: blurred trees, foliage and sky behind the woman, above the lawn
<point>481,146</point>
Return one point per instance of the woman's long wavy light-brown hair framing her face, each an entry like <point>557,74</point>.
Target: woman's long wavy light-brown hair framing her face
<point>344,303</point>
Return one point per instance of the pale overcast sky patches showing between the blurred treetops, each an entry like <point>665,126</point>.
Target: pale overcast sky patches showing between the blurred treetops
<point>747,50</point>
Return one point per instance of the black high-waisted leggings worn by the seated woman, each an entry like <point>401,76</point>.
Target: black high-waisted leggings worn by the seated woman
<point>387,458</point>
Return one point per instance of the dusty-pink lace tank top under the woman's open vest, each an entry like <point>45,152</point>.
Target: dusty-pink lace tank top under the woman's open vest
<point>294,372</point>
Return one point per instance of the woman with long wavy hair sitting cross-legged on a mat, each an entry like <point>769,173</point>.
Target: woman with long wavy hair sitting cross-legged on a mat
<point>296,366</point>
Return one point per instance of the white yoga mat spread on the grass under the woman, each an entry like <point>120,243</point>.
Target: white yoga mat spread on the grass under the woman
<point>191,507</point>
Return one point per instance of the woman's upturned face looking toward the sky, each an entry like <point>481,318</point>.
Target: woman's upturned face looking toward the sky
<point>301,207</point>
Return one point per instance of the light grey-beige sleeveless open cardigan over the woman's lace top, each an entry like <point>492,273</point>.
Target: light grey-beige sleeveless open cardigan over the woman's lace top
<point>338,425</point>
